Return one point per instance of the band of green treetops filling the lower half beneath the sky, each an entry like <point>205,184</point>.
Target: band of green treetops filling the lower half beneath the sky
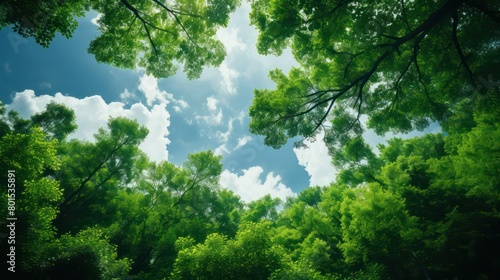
<point>425,207</point>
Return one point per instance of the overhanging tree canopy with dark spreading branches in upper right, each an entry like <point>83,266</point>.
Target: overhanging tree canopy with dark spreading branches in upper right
<point>403,64</point>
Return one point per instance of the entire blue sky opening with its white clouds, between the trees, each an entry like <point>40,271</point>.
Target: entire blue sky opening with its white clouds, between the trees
<point>183,116</point>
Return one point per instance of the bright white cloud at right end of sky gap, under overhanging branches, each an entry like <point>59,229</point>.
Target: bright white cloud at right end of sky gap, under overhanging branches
<point>317,162</point>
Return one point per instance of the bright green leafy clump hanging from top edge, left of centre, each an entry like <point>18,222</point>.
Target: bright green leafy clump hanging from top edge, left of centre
<point>172,33</point>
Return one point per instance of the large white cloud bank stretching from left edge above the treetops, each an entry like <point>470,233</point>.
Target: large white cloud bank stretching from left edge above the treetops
<point>93,112</point>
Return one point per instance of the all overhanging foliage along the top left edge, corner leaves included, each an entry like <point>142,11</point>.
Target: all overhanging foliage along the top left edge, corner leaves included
<point>159,36</point>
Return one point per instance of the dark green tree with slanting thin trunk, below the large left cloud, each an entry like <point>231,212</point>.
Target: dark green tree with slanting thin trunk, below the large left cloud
<point>92,173</point>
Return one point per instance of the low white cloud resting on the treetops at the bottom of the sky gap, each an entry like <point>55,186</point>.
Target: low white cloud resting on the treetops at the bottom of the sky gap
<point>250,187</point>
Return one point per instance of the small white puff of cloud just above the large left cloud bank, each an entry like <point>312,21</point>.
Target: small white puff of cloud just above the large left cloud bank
<point>148,85</point>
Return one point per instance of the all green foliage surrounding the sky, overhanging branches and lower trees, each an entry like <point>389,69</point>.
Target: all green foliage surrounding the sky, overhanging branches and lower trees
<point>419,208</point>
